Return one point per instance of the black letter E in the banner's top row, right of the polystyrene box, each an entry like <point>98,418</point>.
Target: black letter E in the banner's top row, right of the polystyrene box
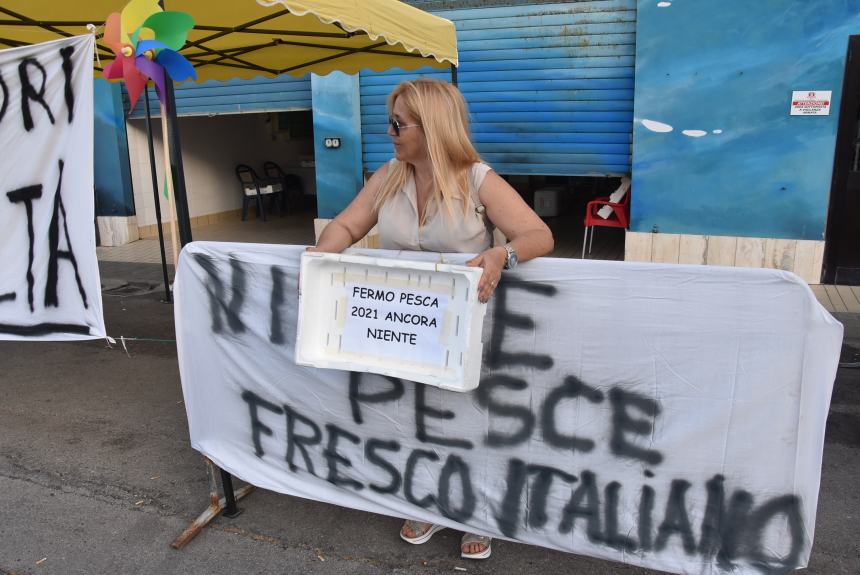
<point>503,319</point>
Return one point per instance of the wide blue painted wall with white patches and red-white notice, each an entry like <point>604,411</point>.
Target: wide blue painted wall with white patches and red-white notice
<point>728,69</point>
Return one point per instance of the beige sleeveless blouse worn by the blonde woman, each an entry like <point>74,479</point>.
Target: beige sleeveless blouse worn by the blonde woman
<point>469,232</point>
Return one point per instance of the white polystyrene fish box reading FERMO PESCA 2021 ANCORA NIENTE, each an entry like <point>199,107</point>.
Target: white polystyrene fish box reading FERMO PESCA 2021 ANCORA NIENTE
<point>413,320</point>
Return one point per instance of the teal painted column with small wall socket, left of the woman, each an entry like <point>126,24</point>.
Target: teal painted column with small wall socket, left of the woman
<point>336,115</point>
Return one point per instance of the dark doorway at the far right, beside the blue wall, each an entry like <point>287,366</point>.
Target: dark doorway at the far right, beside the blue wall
<point>842,236</point>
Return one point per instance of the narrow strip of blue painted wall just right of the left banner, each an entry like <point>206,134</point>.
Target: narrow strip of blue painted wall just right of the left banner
<point>114,194</point>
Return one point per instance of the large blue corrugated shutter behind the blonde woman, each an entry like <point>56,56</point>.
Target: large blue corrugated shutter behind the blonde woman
<point>549,87</point>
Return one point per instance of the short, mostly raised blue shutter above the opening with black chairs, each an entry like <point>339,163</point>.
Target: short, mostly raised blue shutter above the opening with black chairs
<point>236,96</point>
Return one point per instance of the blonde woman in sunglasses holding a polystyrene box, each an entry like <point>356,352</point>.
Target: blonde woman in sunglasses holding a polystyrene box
<point>436,195</point>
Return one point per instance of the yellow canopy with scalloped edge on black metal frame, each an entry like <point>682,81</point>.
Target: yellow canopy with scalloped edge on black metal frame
<point>248,38</point>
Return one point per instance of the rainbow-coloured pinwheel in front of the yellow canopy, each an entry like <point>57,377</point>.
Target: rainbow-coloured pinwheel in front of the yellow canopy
<point>146,41</point>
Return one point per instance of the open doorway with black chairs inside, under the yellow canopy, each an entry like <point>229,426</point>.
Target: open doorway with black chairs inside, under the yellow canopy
<point>212,147</point>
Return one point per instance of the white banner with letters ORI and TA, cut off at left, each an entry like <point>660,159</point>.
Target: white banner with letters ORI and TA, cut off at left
<point>49,278</point>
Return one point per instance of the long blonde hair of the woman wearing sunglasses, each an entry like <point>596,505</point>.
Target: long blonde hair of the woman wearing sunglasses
<point>441,110</point>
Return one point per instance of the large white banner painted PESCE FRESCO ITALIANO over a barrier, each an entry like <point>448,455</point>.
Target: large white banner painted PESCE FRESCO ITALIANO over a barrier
<point>661,415</point>
